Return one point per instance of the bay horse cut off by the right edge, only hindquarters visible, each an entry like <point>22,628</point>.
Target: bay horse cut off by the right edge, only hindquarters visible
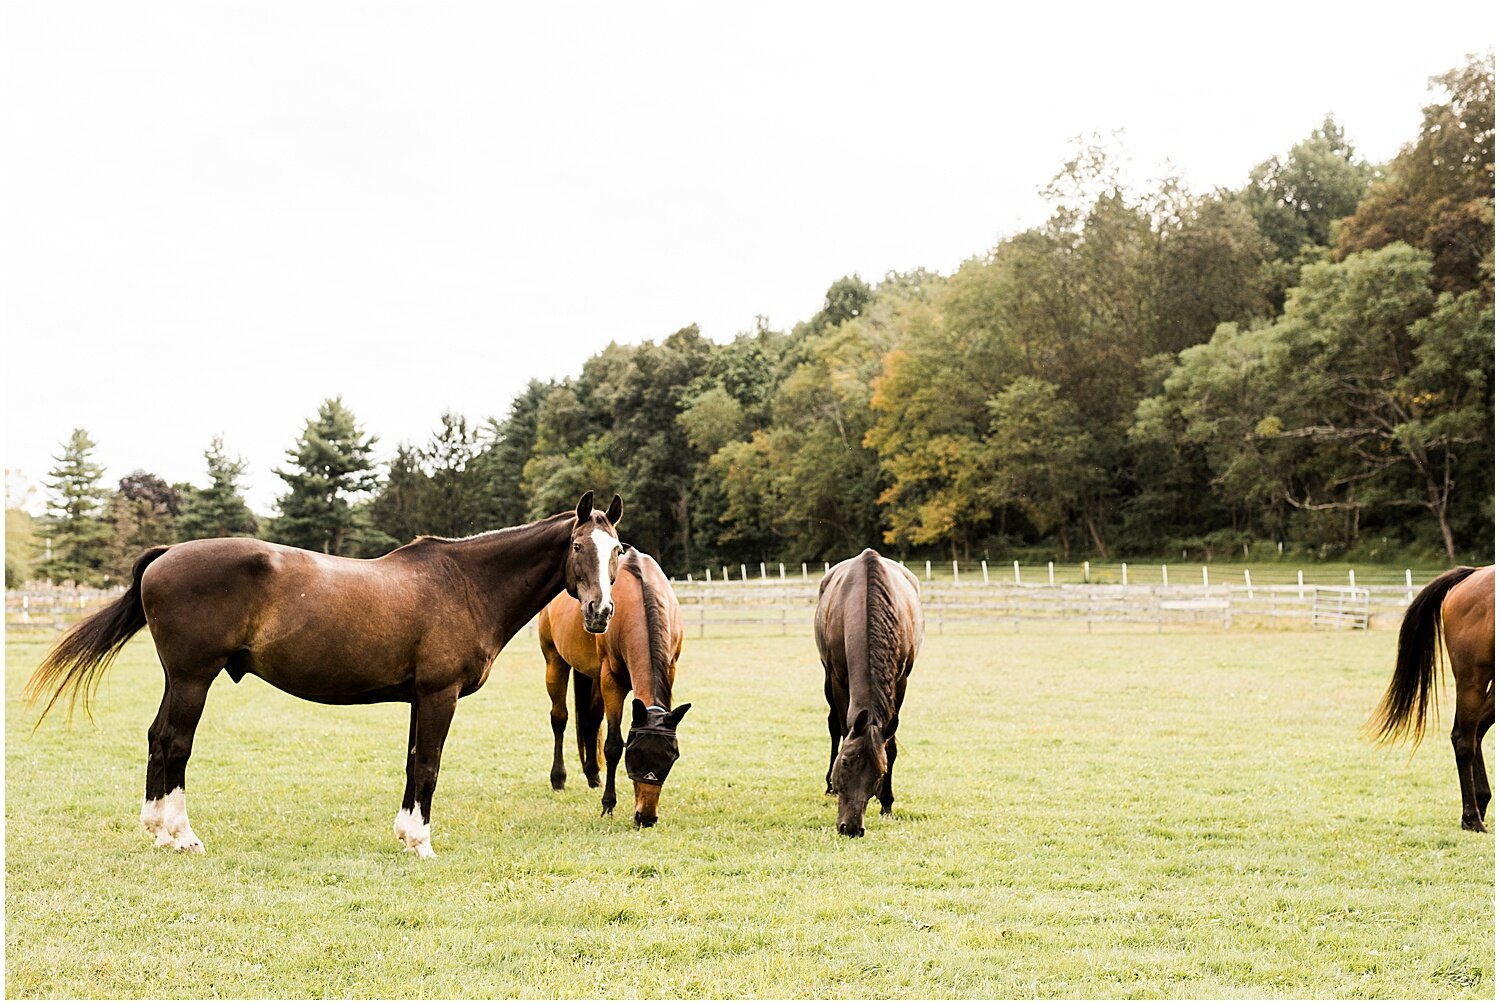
<point>1457,608</point>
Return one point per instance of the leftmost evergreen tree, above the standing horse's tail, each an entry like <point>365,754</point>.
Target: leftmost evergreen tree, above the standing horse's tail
<point>76,515</point>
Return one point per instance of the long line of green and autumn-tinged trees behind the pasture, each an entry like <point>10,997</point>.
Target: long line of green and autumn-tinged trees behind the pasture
<point>1306,362</point>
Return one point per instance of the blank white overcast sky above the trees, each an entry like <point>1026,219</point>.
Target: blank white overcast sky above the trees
<point>214,218</point>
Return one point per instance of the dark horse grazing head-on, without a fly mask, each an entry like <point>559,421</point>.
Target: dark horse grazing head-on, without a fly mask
<point>869,628</point>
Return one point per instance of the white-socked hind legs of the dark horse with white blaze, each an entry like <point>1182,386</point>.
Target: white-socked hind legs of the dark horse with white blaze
<point>164,814</point>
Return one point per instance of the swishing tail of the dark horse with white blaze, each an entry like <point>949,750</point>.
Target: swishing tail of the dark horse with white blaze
<point>82,656</point>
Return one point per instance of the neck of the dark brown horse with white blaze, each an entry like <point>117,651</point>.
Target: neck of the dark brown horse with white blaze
<point>515,572</point>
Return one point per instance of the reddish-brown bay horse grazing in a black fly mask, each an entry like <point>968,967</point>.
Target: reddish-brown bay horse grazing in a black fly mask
<point>638,653</point>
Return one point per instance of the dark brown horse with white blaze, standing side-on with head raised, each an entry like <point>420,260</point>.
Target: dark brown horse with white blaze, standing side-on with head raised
<point>421,625</point>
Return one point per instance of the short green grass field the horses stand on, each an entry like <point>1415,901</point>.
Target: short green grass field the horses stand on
<point>1108,815</point>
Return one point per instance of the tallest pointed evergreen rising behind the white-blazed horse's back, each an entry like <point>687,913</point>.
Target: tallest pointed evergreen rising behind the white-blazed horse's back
<point>332,467</point>
